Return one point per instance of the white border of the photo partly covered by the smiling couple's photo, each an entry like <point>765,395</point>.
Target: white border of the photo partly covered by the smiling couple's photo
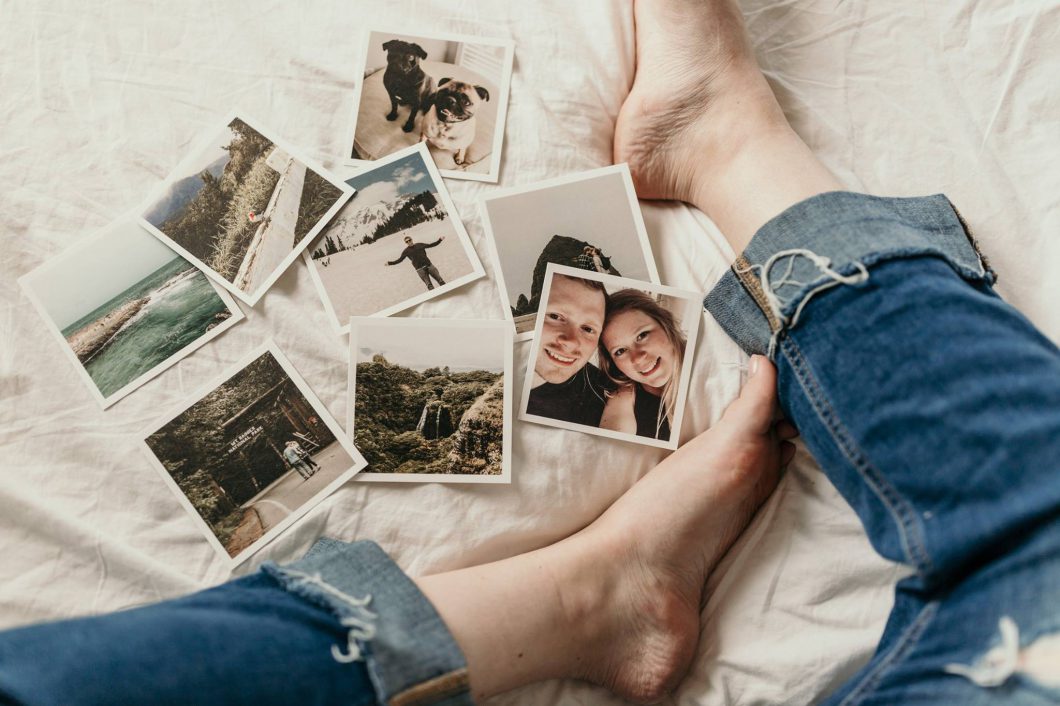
<point>639,223</point>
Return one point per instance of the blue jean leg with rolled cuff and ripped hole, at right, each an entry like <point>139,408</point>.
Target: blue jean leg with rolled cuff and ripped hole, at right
<point>934,408</point>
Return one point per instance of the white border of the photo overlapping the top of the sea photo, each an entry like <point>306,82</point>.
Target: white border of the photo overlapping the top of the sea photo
<point>249,298</point>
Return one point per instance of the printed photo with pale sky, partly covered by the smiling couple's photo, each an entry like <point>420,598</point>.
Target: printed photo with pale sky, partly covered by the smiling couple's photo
<point>590,221</point>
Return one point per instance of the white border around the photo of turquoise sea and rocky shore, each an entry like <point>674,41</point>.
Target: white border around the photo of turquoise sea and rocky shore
<point>26,281</point>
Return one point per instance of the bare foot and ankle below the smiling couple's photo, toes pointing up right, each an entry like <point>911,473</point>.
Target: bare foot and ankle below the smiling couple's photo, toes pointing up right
<point>619,604</point>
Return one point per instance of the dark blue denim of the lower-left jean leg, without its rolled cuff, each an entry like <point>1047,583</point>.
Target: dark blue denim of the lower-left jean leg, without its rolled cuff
<point>249,642</point>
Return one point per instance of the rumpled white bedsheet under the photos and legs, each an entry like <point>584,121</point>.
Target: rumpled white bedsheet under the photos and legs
<point>102,99</point>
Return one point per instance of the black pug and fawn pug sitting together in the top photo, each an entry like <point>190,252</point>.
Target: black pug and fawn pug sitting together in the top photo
<point>449,107</point>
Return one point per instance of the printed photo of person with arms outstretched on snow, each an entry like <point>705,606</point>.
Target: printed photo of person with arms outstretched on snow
<point>397,243</point>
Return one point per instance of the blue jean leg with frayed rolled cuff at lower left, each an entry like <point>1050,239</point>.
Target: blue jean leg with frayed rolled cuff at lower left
<point>343,626</point>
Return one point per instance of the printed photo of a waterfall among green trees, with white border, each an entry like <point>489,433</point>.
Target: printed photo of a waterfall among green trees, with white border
<point>431,399</point>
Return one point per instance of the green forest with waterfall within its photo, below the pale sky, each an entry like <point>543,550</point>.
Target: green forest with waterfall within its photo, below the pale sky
<point>432,421</point>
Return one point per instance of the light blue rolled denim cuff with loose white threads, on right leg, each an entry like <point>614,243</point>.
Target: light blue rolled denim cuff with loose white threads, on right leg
<point>832,240</point>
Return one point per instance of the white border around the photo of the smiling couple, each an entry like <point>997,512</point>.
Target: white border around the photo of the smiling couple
<point>694,315</point>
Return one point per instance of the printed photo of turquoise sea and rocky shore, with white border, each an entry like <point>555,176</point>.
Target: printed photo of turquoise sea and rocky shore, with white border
<point>126,308</point>
